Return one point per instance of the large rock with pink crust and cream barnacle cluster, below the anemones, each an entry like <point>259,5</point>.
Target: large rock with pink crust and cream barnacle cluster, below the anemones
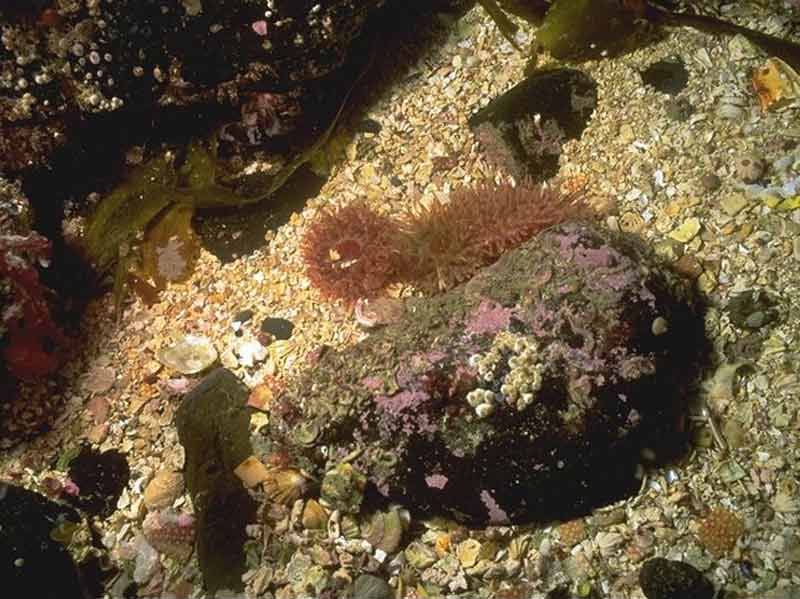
<point>534,392</point>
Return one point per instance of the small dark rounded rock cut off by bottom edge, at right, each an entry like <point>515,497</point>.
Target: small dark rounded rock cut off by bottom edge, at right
<point>666,579</point>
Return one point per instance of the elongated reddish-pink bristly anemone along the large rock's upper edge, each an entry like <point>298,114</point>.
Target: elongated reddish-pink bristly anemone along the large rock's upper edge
<point>444,243</point>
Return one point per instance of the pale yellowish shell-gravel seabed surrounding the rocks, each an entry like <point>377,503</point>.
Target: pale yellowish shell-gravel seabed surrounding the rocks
<point>653,172</point>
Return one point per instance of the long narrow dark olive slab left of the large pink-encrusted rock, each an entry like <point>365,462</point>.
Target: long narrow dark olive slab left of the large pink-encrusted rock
<point>212,426</point>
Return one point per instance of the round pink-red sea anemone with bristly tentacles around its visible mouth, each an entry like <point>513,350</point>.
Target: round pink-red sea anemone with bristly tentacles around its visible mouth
<point>350,253</point>
